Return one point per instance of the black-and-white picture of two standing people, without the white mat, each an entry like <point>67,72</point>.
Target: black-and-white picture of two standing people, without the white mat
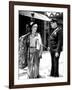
<point>40,44</point>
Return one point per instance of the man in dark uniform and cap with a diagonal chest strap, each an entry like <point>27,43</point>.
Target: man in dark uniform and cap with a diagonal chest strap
<point>55,45</point>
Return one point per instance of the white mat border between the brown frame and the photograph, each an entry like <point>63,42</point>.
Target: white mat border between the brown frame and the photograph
<point>16,33</point>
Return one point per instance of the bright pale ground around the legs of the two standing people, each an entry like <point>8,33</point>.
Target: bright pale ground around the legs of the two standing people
<point>45,67</point>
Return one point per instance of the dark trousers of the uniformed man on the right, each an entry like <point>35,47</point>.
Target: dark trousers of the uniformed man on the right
<point>54,64</point>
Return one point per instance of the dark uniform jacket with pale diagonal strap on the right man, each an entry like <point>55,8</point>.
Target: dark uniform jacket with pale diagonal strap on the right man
<point>56,40</point>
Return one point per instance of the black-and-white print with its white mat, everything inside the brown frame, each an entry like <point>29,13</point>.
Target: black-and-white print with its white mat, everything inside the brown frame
<point>40,45</point>
